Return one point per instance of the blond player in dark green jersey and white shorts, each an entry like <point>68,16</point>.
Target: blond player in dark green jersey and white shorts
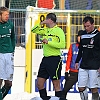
<point>7,47</point>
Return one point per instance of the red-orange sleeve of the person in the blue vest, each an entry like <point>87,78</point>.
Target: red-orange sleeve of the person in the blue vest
<point>69,58</point>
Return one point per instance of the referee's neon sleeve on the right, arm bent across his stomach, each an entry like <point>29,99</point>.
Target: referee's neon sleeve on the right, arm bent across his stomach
<point>61,40</point>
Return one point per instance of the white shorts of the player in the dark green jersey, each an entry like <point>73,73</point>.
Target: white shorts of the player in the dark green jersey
<point>6,66</point>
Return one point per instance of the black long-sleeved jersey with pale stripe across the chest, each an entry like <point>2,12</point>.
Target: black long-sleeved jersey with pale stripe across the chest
<point>89,50</point>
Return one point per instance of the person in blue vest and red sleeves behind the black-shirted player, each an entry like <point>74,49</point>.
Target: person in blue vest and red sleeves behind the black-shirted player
<point>71,74</point>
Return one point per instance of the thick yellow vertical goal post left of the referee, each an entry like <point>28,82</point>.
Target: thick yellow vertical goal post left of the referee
<point>28,68</point>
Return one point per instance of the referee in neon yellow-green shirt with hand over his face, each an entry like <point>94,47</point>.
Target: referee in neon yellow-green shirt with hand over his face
<point>53,40</point>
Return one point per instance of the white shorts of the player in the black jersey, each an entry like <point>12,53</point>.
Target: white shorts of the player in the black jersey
<point>88,78</point>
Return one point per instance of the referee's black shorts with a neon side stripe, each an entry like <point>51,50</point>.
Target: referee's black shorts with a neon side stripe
<point>50,67</point>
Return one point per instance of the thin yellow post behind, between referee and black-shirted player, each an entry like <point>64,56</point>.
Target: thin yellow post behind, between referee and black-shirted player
<point>68,31</point>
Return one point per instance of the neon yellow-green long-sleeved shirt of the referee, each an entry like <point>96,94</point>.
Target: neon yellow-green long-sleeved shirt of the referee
<point>55,37</point>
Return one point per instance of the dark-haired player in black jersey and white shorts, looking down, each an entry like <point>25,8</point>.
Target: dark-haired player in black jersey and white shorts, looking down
<point>89,51</point>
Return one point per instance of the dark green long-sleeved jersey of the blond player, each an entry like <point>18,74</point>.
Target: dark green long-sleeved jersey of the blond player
<point>7,37</point>
